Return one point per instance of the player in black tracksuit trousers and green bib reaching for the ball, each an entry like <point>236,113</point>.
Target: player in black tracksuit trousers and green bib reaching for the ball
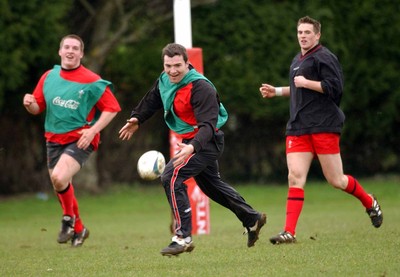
<point>191,108</point>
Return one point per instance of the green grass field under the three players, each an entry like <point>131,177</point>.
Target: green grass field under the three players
<point>130,225</point>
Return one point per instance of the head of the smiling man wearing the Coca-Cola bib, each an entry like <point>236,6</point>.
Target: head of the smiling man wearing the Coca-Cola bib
<point>70,53</point>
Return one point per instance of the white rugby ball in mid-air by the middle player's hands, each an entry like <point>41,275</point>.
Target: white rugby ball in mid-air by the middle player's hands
<point>151,165</point>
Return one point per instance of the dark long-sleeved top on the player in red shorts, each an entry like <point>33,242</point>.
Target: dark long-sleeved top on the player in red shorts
<point>311,111</point>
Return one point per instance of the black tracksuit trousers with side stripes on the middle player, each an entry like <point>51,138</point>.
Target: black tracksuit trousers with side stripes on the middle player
<point>203,166</point>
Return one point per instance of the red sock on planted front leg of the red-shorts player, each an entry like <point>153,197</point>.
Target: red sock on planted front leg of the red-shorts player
<point>294,205</point>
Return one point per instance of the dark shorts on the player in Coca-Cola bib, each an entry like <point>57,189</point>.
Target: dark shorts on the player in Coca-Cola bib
<point>55,150</point>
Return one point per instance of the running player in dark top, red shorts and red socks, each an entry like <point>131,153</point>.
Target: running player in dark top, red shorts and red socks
<point>314,127</point>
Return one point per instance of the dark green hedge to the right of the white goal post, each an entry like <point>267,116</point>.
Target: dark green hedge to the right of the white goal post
<point>246,43</point>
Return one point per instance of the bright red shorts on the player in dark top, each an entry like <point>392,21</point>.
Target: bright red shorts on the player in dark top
<point>320,143</point>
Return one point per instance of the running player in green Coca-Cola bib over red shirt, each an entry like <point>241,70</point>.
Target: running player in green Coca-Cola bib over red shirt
<point>79,104</point>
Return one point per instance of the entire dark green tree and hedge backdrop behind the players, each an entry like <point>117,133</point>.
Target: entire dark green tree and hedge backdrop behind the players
<point>245,43</point>
